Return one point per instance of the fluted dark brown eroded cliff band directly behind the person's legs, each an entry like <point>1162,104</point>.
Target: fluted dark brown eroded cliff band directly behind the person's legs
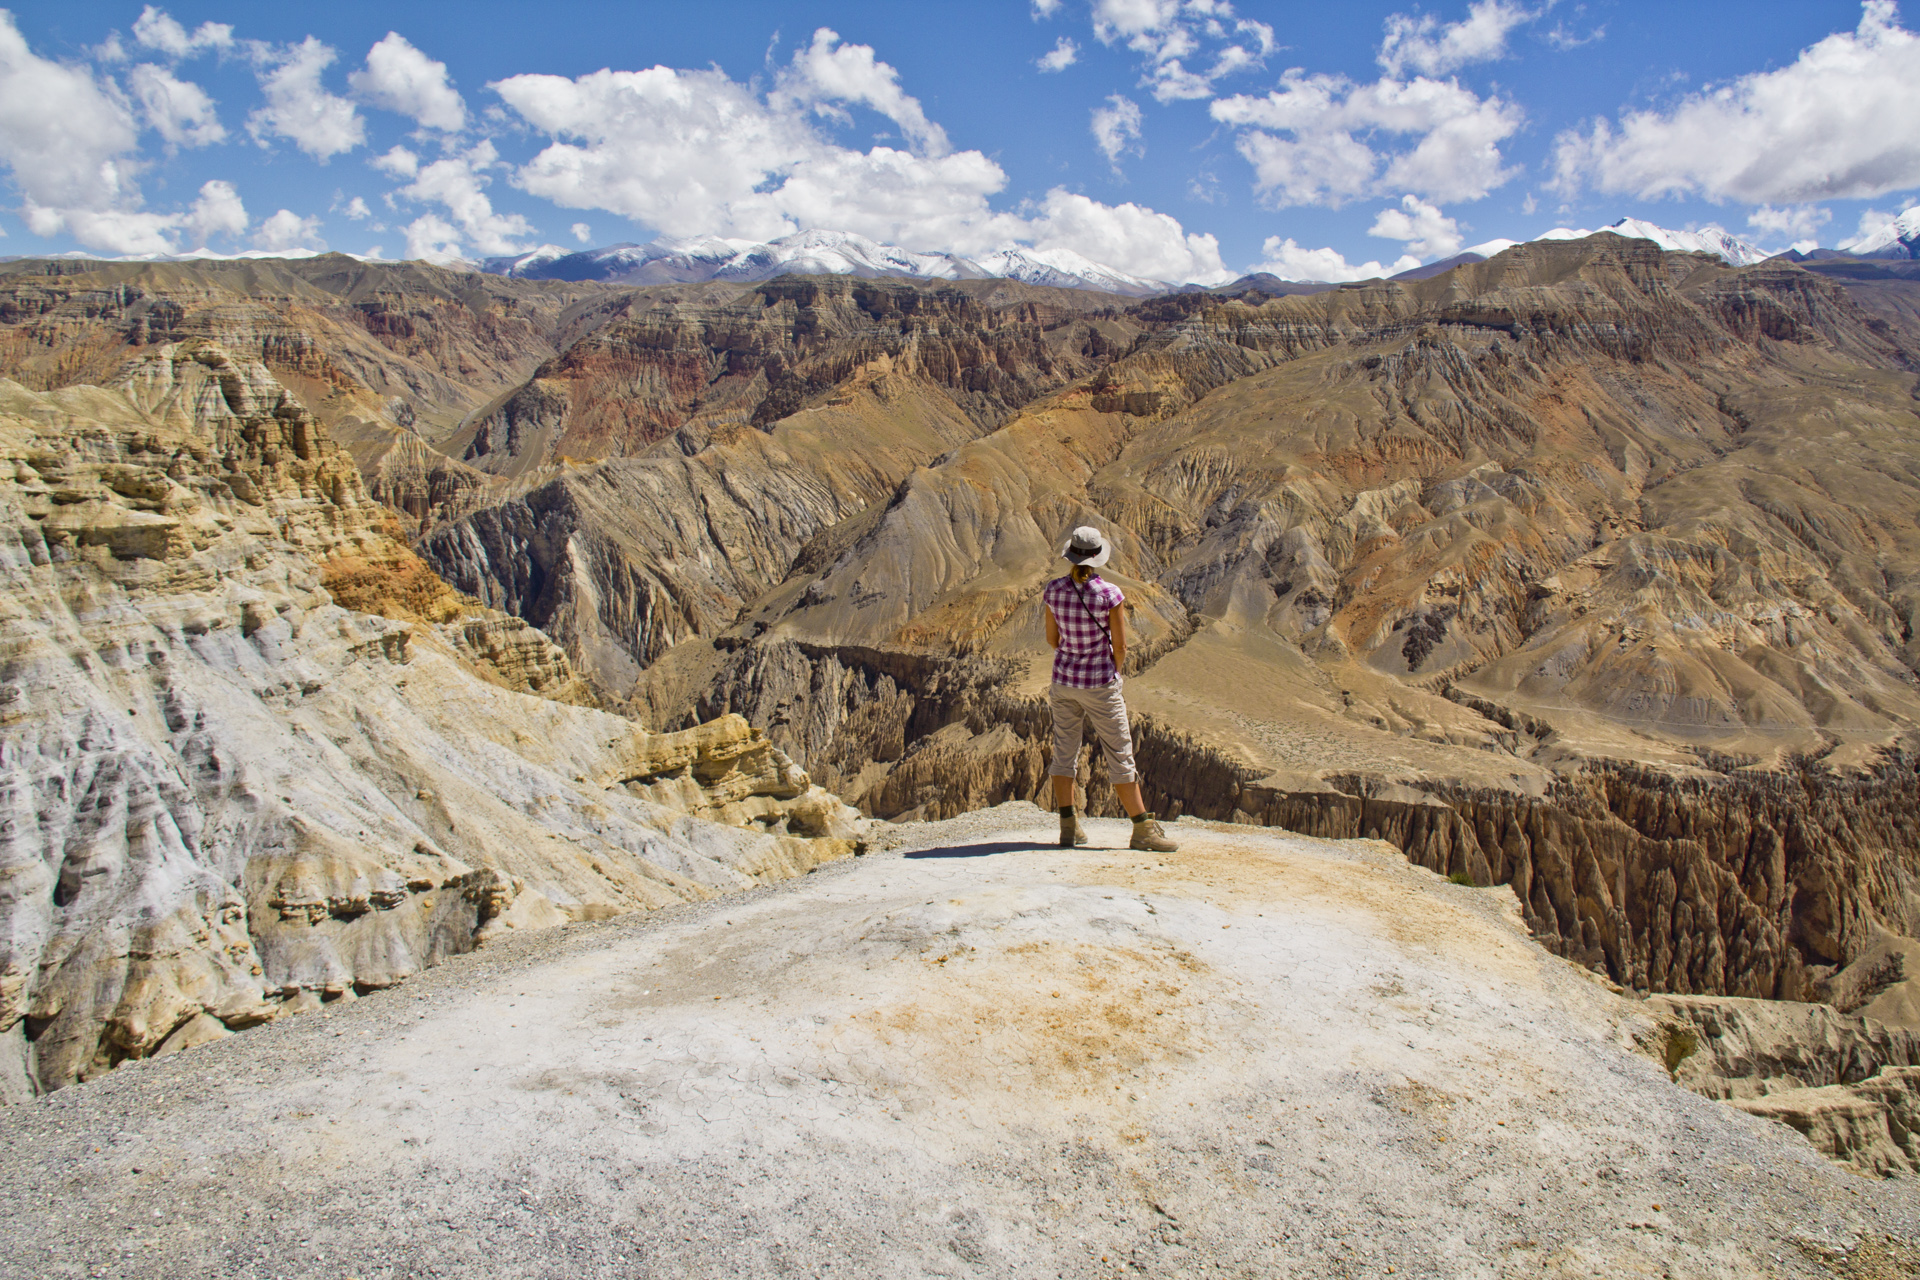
<point>1752,884</point>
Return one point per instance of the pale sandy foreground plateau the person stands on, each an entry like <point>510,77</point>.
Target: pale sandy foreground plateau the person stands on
<point>972,1055</point>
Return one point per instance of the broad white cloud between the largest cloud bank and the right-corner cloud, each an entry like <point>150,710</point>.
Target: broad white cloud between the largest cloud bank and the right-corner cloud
<point>1324,139</point>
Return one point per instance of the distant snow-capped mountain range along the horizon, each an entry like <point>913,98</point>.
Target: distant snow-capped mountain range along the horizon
<point>846,254</point>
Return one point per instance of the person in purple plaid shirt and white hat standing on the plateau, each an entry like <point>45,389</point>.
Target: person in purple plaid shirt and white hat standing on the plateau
<point>1088,630</point>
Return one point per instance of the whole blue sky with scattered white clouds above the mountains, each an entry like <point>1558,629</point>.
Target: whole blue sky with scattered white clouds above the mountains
<point>1174,139</point>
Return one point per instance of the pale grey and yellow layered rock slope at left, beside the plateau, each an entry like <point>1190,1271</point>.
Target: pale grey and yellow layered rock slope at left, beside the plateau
<point>228,795</point>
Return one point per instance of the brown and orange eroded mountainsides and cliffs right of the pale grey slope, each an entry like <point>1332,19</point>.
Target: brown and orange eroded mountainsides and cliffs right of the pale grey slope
<point>1587,569</point>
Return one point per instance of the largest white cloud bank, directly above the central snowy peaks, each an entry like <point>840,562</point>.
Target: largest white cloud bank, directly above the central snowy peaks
<point>694,153</point>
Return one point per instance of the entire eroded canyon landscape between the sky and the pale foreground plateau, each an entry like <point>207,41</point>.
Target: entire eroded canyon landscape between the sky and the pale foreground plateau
<point>1589,571</point>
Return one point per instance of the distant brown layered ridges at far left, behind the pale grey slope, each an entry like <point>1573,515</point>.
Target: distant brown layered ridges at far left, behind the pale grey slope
<point>391,358</point>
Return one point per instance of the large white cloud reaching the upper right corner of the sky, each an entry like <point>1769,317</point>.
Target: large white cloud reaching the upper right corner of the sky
<point>1831,126</point>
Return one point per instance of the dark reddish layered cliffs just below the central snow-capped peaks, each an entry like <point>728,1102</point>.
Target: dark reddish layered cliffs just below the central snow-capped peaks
<point>700,360</point>
